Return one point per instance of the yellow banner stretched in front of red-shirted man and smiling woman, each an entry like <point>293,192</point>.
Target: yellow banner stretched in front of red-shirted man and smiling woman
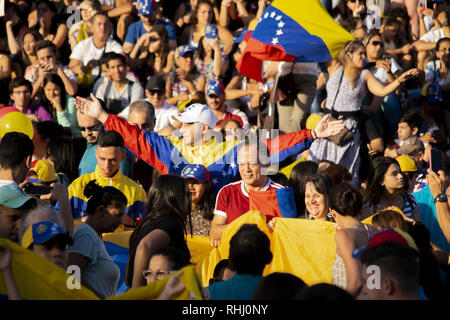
<point>305,248</point>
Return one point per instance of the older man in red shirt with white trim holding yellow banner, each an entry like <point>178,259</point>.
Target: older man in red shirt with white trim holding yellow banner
<point>233,199</point>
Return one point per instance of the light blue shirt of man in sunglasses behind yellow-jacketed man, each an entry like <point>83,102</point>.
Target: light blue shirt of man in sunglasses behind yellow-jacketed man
<point>89,162</point>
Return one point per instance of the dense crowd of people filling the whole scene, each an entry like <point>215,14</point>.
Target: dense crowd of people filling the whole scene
<point>142,122</point>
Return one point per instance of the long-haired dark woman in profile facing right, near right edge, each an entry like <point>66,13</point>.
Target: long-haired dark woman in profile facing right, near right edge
<point>386,187</point>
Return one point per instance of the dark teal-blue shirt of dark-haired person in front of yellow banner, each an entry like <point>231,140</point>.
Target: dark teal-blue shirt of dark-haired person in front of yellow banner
<point>239,287</point>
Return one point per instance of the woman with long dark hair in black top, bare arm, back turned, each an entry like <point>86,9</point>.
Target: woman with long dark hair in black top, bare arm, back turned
<point>168,213</point>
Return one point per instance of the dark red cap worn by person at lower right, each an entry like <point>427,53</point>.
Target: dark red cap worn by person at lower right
<point>387,235</point>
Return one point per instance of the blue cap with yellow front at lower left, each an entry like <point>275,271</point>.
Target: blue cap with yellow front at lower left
<point>43,231</point>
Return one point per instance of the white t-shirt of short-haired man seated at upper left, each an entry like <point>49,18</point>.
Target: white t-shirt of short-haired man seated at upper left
<point>86,51</point>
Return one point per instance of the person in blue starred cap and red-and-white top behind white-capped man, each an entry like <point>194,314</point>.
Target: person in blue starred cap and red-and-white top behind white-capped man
<point>215,98</point>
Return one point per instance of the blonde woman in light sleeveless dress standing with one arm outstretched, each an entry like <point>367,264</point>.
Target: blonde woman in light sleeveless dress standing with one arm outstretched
<point>347,87</point>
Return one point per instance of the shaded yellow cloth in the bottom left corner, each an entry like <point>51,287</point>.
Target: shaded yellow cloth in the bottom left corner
<point>37,278</point>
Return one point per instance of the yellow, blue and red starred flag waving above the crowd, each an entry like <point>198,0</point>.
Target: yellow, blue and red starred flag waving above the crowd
<point>300,31</point>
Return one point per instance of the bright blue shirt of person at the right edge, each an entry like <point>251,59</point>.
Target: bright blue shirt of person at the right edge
<point>428,217</point>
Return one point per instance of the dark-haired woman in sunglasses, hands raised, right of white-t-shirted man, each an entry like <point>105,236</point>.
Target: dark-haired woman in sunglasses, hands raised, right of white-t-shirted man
<point>151,55</point>
